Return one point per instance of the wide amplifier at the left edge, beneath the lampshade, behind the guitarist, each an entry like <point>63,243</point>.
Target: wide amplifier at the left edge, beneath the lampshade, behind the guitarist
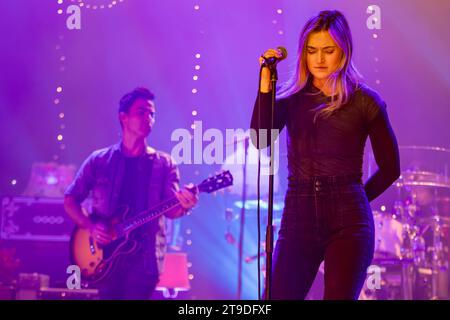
<point>28,218</point>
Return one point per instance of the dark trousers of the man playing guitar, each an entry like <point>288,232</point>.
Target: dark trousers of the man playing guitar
<point>130,280</point>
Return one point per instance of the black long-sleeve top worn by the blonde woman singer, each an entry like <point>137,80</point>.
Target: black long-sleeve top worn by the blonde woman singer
<point>333,145</point>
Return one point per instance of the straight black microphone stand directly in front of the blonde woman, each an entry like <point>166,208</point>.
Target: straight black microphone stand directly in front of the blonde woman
<point>269,230</point>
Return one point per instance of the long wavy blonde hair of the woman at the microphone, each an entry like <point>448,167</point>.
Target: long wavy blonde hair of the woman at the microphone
<point>344,80</point>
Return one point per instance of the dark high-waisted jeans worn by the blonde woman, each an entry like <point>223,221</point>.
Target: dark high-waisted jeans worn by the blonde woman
<point>325,219</point>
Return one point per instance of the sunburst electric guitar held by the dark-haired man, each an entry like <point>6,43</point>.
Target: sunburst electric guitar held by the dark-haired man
<point>96,261</point>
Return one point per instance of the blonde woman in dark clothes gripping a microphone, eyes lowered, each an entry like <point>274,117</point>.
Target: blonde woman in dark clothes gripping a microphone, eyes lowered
<point>329,113</point>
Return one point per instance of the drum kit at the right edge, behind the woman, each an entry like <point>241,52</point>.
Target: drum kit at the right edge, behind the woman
<point>412,235</point>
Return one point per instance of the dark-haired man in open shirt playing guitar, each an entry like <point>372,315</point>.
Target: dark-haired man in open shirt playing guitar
<point>129,175</point>
